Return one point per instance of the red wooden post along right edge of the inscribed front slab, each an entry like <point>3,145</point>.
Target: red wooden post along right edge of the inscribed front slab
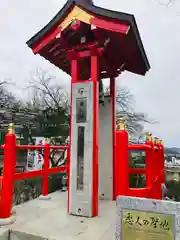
<point>95,171</point>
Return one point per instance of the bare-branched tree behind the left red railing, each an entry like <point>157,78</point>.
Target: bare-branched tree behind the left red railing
<point>49,102</point>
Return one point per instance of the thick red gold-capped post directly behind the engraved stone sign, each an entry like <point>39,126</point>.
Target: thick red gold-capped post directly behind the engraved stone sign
<point>122,160</point>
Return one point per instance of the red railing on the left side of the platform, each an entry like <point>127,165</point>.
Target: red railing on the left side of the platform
<point>9,175</point>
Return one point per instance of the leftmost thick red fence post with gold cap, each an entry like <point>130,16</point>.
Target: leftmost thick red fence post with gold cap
<point>8,173</point>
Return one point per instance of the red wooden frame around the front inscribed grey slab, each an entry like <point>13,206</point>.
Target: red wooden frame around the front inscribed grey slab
<point>93,53</point>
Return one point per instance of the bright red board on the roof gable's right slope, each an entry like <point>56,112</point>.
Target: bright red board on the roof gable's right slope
<point>110,25</point>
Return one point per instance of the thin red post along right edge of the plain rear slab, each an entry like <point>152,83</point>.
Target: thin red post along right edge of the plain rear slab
<point>113,97</point>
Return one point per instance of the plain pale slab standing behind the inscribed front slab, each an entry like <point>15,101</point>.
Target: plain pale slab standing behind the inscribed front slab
<point>105,150</point>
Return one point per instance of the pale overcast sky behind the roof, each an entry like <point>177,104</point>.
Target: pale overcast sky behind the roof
<point>157,94</point>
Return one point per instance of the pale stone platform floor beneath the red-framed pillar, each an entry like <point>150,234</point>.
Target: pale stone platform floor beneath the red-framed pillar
<point>48,219</point>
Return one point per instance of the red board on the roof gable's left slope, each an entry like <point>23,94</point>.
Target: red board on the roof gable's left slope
<point>46,39</point>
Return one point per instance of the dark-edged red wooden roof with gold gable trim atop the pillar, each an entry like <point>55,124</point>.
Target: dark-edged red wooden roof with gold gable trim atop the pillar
<point>124,49</point>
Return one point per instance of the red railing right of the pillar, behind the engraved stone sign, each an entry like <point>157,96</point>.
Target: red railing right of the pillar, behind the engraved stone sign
<point>154,167</point>
